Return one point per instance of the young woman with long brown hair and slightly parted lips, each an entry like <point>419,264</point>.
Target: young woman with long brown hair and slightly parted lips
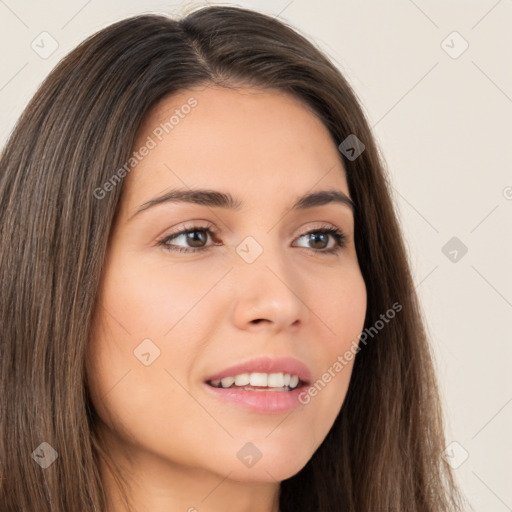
<point>274,361</point>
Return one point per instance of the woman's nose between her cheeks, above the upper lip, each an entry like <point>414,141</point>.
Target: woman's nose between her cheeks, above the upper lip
<point>268,294</point>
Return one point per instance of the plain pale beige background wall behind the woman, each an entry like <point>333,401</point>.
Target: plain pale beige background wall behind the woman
<point>442,114</point>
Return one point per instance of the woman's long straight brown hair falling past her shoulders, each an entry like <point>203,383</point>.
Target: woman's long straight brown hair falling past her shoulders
<point>384,451</point>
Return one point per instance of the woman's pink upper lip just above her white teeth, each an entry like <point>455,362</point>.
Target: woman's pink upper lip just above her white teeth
<point>266,364</point>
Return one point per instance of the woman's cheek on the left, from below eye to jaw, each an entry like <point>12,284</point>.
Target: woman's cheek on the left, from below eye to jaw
<point>149,314</point>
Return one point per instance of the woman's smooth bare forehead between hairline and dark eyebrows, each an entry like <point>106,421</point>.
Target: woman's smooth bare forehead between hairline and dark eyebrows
<point>247,141</point>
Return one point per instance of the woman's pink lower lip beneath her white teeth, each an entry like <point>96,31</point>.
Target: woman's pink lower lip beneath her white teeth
<point>270,402</point>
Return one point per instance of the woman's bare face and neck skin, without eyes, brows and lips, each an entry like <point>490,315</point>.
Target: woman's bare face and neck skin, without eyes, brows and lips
<point>175,442</point>
